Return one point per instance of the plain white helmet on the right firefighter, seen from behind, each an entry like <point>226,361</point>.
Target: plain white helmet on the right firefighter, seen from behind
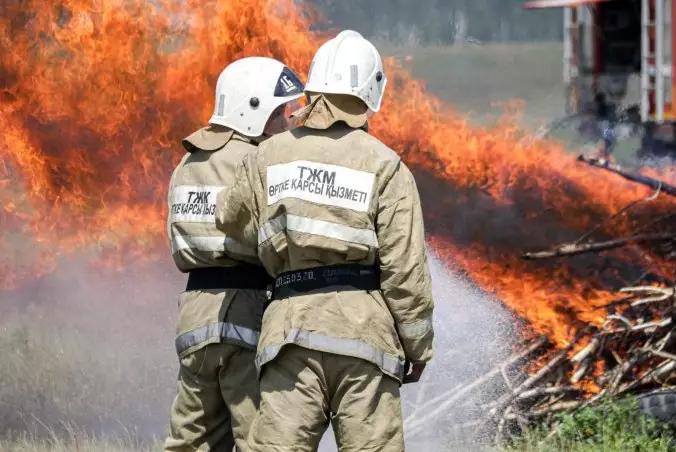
<point>348,64</point>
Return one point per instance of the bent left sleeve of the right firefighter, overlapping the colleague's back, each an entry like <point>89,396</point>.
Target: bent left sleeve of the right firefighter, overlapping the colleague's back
<point>236,214</point>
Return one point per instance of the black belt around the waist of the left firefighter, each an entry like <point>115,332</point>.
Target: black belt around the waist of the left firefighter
<point>244,276</point>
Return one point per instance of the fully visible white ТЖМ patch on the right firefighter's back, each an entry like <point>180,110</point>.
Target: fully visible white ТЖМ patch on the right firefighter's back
<point>321,183</point>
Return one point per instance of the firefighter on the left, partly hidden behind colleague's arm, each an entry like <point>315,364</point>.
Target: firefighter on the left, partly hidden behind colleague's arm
<point>222,306</point>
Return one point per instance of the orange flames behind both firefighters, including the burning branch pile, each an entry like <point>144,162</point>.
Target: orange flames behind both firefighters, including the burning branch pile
<point>95,96</point>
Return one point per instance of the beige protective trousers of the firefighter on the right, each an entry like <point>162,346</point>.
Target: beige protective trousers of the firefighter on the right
<point>302,390</point>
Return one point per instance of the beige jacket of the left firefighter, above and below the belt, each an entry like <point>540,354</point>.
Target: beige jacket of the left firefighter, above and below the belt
<point>214,315</point>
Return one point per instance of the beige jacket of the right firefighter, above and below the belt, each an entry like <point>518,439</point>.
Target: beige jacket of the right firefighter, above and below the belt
<point>329,195</point>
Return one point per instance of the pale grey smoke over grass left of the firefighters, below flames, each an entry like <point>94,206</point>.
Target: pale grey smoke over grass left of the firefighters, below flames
<point>91,350</point>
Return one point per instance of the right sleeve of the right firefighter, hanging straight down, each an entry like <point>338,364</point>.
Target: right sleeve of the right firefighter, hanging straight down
<point>404,271</point>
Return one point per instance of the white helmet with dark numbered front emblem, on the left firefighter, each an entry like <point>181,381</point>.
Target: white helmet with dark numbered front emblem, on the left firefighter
<point>249,90</point>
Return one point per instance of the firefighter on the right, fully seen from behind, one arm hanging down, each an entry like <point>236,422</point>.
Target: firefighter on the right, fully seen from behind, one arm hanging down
<point>341,229</point>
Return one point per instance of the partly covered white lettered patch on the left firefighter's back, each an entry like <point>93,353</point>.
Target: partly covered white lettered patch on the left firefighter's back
<point>194,203</point>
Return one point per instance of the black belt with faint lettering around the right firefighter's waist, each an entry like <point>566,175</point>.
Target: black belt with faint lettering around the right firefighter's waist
<point>349,276</point>
